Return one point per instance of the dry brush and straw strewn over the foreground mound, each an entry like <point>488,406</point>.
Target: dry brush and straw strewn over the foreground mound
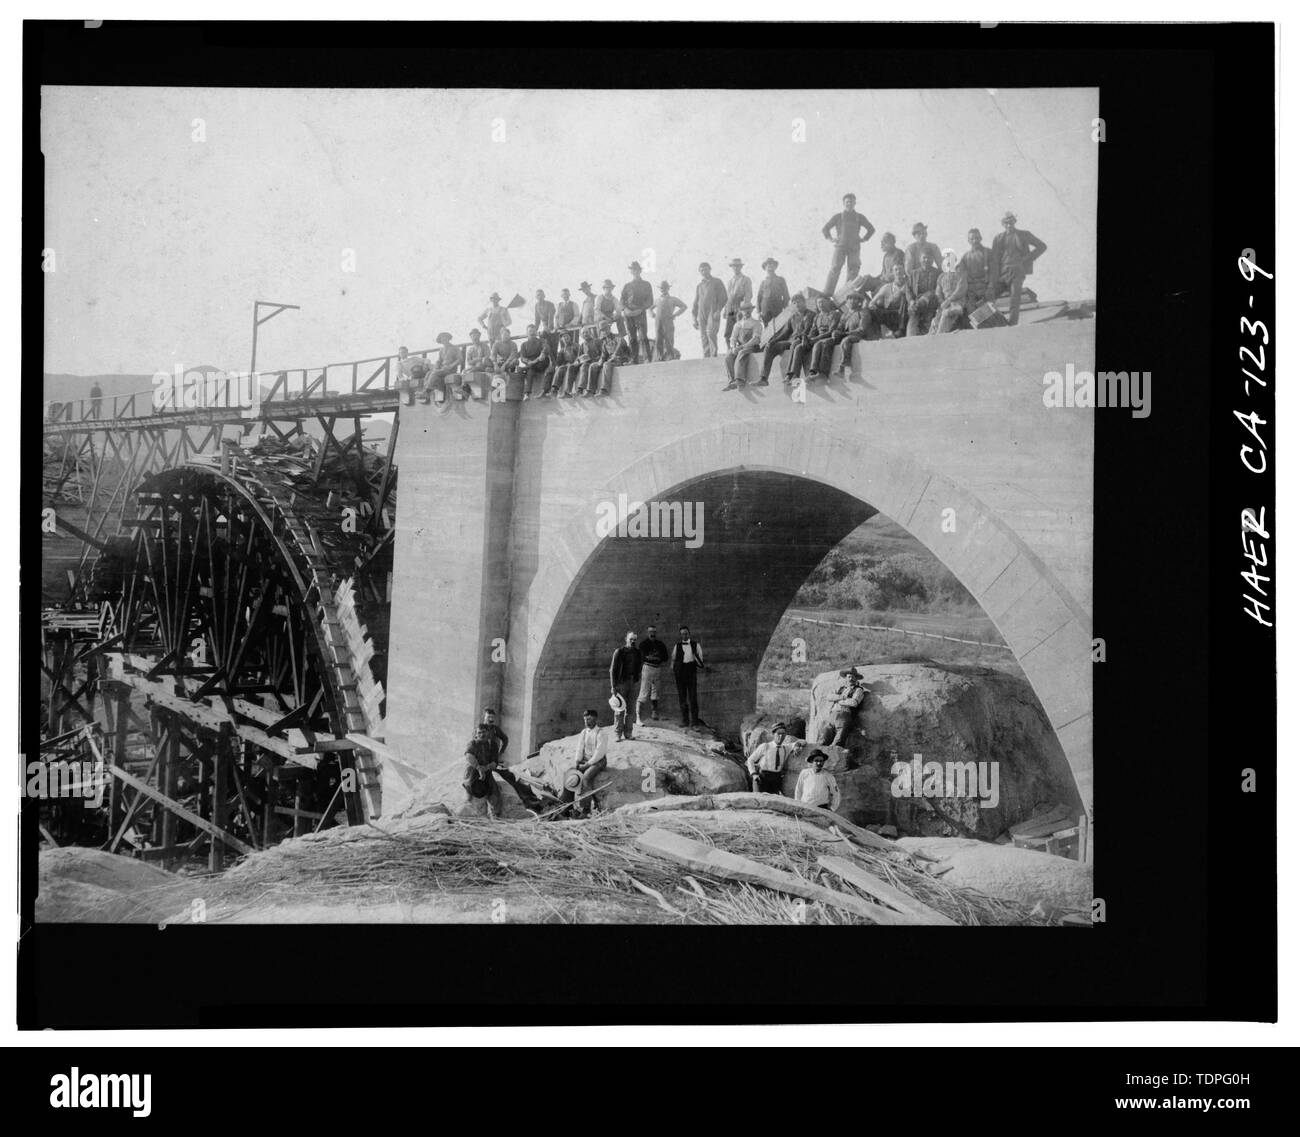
<point>574,870</point>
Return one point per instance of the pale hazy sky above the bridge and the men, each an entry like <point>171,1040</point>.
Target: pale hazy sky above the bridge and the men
<point>391,215</point>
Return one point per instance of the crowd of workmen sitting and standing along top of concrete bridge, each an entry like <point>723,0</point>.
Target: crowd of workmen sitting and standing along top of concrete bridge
<point>573,349</point>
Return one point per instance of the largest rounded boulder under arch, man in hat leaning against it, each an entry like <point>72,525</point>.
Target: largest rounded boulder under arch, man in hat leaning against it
<point>944,714</point>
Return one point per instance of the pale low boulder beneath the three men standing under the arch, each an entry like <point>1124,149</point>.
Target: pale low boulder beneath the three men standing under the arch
<point>657,762</point>
